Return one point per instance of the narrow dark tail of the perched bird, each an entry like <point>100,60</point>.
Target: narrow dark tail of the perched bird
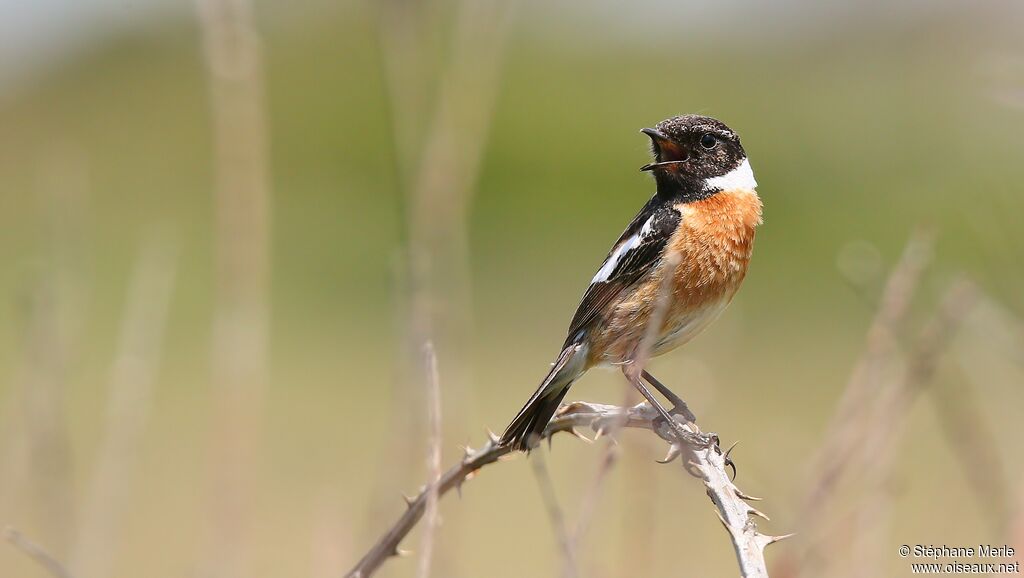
<point>529,425</point>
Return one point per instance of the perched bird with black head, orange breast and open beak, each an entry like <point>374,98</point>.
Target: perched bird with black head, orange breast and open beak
<point>698,229</point>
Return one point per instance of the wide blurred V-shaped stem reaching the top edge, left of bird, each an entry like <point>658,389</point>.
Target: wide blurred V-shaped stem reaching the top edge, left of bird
<point>439,156</point>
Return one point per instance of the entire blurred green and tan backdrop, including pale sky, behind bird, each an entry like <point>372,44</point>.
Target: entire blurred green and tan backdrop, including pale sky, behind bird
<point>863,122</point>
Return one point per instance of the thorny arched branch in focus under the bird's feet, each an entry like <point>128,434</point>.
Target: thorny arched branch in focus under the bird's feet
<point>734,510</point>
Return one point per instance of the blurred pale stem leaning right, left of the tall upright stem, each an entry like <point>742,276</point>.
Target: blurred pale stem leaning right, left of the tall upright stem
<point>133,379</point>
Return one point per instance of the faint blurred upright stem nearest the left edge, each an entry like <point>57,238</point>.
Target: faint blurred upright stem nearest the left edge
<point>58,309</point>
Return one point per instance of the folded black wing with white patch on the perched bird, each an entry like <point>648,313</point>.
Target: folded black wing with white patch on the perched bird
<point>636,254</point>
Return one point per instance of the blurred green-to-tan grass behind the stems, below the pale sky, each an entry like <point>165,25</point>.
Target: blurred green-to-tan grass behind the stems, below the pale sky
<point>859,136</point>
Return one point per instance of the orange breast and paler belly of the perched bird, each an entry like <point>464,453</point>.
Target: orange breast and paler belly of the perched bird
<point>714,244</point>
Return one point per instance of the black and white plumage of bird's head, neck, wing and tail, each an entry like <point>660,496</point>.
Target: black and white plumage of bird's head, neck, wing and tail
<point>685,175</point>
